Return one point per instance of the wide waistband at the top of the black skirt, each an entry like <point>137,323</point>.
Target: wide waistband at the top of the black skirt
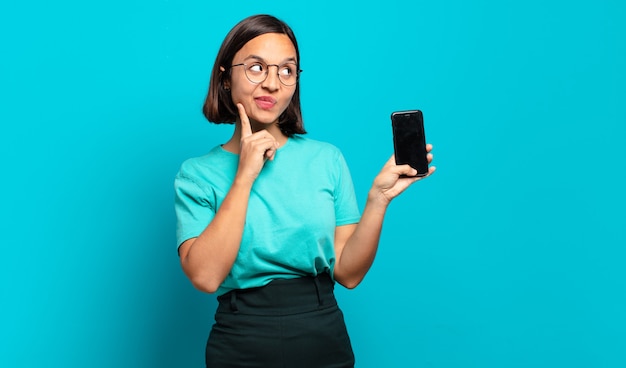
<point>281,297</point>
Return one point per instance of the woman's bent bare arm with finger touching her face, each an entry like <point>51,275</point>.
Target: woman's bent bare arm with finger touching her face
<point>207,259</point>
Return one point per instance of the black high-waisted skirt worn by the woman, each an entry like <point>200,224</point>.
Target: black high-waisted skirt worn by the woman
<point>294,323</point>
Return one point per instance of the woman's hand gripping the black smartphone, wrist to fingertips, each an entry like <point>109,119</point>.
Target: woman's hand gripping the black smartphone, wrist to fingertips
<point>388,184</point>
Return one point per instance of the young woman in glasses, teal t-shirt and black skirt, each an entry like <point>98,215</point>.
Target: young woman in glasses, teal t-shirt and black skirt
<point>268,220</point>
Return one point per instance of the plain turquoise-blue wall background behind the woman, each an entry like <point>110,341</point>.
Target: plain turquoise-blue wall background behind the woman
<point>512,255</point>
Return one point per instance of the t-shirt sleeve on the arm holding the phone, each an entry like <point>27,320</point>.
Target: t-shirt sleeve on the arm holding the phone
<point>346,207</point>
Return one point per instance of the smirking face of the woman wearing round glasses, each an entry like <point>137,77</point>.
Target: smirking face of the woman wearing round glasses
<point>266,101</point>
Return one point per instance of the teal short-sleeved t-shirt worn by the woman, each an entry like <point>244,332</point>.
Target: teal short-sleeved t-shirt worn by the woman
<point>295,204</point>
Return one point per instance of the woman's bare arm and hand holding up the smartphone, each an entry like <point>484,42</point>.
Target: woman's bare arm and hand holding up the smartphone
<point>356,245</point>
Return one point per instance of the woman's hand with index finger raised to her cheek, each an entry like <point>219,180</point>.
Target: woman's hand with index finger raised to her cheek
<point>255,148</point>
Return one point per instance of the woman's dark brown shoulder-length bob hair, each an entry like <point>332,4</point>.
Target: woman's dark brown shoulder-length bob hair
<point>218,106</point>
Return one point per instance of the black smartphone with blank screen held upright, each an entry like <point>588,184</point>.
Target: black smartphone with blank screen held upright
<point>409,140</point>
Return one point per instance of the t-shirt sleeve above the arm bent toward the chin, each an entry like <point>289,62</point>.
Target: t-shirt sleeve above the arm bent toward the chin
<point>194,210</point>
